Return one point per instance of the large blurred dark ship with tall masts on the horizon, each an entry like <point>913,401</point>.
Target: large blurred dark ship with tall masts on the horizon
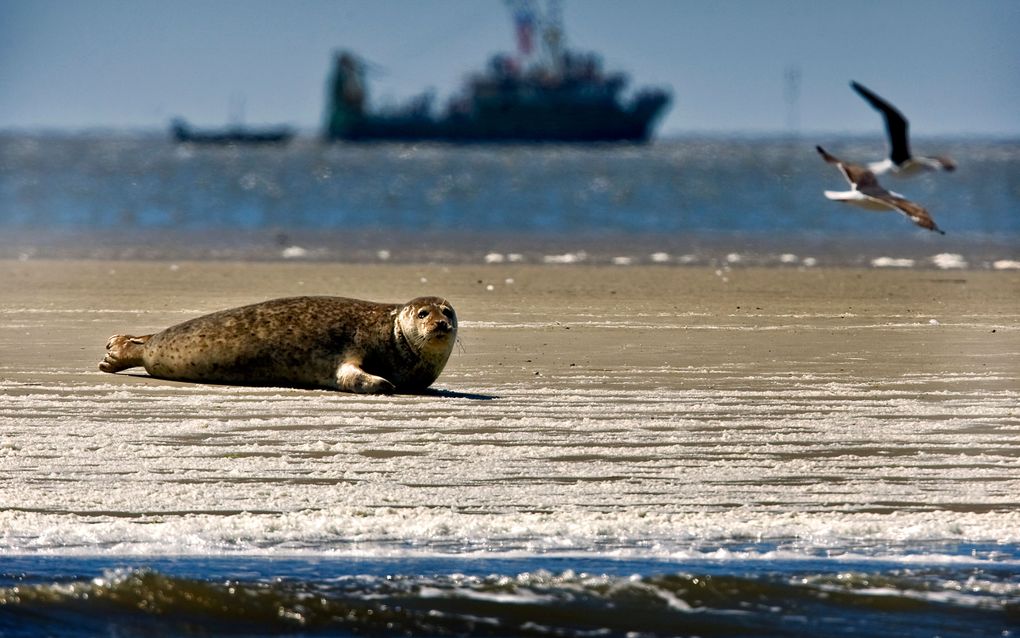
<point>547,94</point>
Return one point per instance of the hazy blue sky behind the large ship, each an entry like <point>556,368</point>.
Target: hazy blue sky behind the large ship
<point>952,67</point>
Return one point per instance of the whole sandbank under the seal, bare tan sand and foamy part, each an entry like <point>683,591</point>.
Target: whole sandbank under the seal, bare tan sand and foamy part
<point>592,409</point>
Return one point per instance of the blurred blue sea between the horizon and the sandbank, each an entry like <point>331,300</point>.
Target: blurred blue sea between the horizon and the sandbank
<point>690,202</point>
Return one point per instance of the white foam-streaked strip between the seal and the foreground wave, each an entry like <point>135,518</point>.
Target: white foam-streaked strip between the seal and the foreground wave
<point>656,463</point>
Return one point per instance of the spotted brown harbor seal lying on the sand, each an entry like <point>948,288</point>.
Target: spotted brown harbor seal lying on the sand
<point>302,342</point>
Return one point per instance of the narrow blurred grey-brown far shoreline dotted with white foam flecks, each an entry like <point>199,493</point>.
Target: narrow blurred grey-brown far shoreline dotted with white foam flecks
<point>915,251</point>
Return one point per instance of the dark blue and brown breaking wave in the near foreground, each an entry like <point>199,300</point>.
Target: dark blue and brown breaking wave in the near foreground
<point>444,597</point>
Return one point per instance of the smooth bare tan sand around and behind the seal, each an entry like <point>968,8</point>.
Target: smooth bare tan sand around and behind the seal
<point>521,322</point>
